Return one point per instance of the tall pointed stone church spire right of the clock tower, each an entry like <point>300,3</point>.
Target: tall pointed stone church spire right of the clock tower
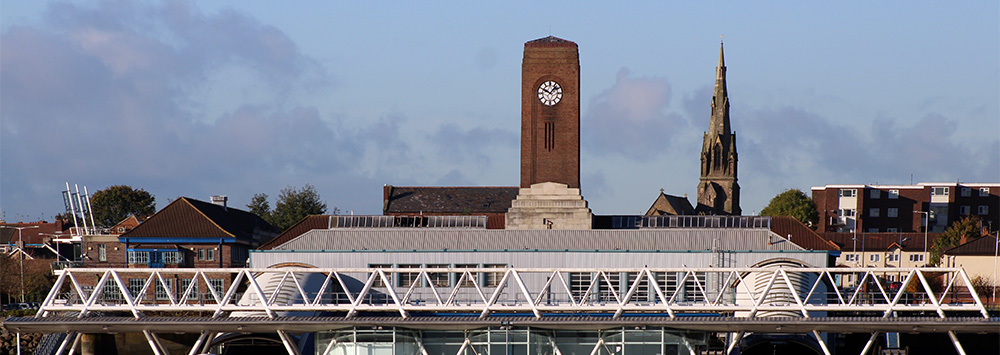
<point>718,192</point>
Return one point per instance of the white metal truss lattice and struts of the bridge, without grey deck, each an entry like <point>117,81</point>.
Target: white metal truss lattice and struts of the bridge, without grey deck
<point>740,292</point>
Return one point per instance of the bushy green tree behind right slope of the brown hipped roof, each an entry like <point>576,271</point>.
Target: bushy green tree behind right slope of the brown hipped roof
<point>292,205</point>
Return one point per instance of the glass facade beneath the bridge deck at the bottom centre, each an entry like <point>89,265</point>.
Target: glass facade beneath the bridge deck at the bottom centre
<point>509,340</point>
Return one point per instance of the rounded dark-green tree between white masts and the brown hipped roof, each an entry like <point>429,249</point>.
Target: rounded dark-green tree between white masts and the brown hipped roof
<point>115,203</point>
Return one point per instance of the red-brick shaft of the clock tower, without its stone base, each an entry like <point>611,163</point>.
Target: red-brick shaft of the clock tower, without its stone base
<point>550,112</point>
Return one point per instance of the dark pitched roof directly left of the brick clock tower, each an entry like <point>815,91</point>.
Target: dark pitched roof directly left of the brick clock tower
<point>448,199</point>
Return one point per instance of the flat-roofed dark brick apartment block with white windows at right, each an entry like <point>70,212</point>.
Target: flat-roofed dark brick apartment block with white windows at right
<point>902,208</point>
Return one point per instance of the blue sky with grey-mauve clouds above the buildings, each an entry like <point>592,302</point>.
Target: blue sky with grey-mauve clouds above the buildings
<point>199,98</point>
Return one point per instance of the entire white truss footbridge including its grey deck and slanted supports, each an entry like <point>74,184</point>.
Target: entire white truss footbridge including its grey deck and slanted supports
<point>295,299</point>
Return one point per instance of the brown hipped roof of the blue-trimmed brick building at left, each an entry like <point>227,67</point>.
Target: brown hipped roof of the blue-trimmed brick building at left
<point>187,217</point>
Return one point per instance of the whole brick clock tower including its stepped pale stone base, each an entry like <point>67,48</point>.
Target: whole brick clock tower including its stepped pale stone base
<point>549,197</point>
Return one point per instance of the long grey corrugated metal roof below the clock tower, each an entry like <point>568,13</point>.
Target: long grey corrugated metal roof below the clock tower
<point>622,239</point>
